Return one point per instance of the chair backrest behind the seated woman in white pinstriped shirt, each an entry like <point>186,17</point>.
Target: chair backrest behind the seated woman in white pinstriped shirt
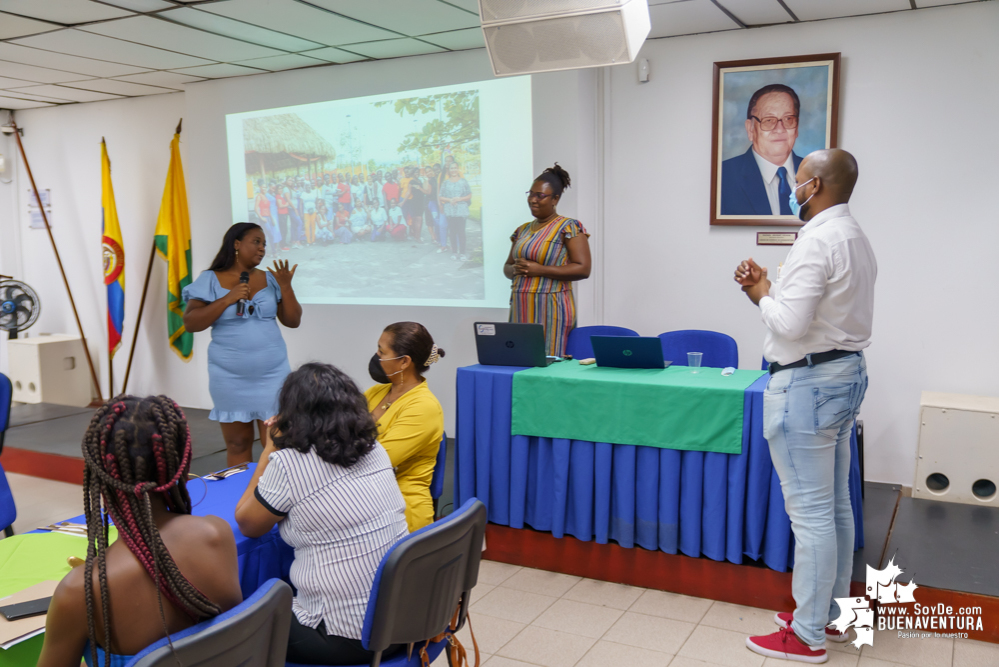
<point>422,578</point>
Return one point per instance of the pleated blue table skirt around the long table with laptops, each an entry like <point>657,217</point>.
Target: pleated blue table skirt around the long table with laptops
<point>723,506</point>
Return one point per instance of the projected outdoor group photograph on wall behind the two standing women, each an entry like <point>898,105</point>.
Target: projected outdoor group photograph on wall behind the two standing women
<point>380,199</point>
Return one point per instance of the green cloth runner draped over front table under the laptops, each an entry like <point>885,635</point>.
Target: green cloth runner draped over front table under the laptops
<point>673,408</point>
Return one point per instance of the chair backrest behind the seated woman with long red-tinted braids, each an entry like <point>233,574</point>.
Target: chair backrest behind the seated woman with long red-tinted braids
<point>254,633</point>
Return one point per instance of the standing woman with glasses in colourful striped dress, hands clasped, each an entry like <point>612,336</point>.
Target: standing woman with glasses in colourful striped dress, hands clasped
<point>547,255</point>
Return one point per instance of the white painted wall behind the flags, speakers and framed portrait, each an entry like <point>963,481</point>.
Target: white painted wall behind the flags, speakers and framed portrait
<point>919,90</point>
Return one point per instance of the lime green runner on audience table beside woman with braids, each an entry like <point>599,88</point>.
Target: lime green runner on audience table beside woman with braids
<point>26,560</point>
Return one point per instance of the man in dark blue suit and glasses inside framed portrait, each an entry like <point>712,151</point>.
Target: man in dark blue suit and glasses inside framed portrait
<point>760,181</point>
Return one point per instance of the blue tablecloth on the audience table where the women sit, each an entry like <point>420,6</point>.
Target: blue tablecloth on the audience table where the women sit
<point>260,558</point>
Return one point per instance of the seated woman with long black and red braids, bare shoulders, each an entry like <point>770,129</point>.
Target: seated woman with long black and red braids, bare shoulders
<point>168,570</point>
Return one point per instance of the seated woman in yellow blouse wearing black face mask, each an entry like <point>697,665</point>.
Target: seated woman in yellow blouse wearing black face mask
<point>409,417</point>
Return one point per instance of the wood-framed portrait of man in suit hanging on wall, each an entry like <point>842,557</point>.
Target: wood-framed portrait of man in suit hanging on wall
<point>768,114</point>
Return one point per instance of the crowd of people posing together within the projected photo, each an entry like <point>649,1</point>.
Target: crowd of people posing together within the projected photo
<point>407,202</point>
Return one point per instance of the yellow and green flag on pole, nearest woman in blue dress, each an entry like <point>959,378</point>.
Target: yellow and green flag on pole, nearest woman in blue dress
<point>173,244</point>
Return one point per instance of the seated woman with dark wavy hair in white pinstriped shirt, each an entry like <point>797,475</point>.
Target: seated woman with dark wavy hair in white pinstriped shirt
<point>330,486</point>
